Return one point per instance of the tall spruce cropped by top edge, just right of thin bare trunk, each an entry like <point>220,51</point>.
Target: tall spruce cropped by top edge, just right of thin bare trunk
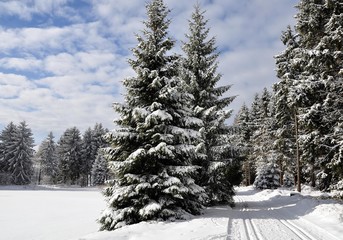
<point>311,83</point>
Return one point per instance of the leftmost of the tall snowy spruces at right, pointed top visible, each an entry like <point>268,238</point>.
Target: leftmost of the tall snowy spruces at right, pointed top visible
<point>285,107</point>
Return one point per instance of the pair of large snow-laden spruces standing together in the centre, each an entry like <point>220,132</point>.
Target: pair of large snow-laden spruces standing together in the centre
<point>170,154</point>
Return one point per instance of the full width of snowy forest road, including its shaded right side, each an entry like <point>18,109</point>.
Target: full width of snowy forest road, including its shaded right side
<point>260,216</point>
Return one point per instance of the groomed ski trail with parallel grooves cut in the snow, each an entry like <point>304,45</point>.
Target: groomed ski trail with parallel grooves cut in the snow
<point>253,219</point>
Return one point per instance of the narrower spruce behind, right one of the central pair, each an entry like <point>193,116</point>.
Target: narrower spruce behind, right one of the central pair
<point>199,70</point>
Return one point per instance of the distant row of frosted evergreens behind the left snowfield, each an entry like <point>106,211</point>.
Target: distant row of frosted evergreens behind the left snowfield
<point>72,160</point>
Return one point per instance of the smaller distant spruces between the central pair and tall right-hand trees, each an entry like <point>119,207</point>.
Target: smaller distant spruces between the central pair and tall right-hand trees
<point>259,142</point>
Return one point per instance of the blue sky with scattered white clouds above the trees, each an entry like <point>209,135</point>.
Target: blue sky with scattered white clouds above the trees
<point>62,61</point>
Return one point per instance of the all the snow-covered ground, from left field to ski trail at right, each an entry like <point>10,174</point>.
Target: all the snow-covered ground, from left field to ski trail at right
<point>70,214</point>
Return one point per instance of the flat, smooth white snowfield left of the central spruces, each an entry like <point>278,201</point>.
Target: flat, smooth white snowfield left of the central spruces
<point>48,213</point>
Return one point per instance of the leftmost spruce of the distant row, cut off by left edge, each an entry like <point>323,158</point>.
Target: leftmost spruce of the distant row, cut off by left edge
<point>6,141</point>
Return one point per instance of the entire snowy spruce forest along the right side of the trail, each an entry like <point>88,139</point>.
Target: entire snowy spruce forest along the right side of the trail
<point>296,132</point>
